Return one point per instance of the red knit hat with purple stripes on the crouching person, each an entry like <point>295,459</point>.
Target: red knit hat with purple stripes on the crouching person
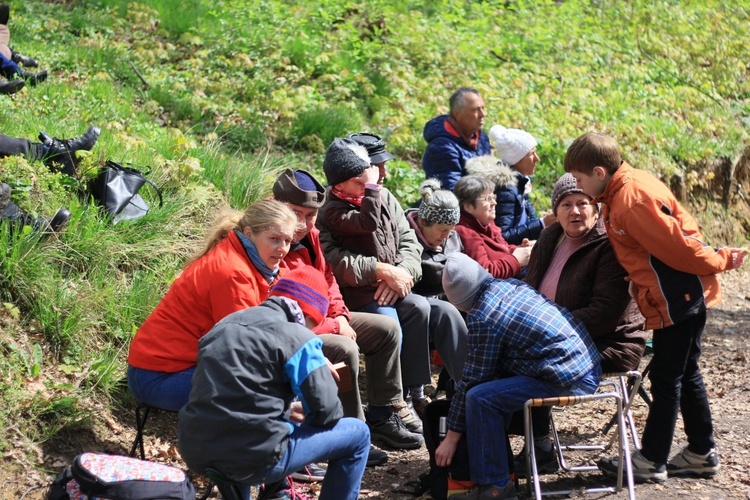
<point>308,287</point>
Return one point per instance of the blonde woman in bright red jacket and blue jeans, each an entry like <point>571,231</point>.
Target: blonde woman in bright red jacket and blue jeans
<point>234,271</point>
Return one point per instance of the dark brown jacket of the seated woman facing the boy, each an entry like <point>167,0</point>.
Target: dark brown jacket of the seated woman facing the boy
<point>592,286</point>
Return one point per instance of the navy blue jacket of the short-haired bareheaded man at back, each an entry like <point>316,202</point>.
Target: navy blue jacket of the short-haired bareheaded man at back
<point>446,153</point>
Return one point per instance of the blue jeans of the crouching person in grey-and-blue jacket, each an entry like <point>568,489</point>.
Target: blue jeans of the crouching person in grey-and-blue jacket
<point>344,446</point>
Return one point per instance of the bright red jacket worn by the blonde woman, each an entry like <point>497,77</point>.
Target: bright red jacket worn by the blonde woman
<point>221,282</point>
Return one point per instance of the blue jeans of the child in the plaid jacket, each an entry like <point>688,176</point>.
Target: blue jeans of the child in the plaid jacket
<point>489,409</point>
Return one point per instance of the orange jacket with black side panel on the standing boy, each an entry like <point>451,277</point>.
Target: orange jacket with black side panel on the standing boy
<point>661,247</point>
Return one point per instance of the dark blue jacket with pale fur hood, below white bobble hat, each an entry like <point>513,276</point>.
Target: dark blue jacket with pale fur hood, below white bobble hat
<point>515,214</point>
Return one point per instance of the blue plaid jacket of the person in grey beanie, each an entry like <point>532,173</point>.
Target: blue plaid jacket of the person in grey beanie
<point>515,330</point>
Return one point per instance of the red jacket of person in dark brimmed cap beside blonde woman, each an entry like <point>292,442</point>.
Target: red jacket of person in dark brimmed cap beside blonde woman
<point>310,253</point>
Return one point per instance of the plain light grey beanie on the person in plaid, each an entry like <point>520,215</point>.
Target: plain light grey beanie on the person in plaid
<point>462,278</point>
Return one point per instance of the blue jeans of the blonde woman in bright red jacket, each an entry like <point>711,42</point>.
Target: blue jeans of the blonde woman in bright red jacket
<point>168,391</point>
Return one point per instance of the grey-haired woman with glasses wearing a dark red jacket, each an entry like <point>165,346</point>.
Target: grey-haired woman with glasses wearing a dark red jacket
<point>483,240</point>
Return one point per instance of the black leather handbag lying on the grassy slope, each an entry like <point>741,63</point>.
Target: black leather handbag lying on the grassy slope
<point>116,187</point>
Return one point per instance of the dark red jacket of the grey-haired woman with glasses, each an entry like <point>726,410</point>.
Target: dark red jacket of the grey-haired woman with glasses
<point>486,245</point>
